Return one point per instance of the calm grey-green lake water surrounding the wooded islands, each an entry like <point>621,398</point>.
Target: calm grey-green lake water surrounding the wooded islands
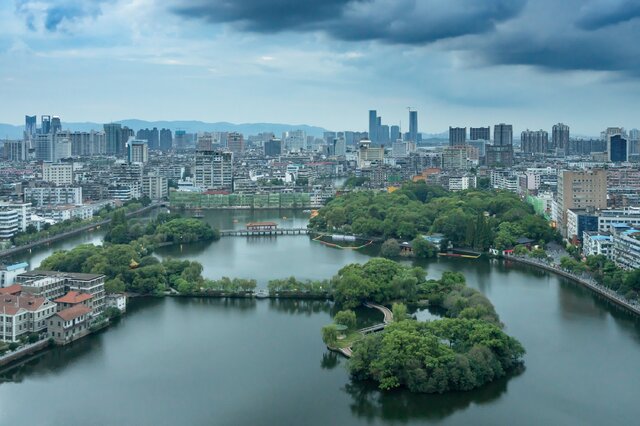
<point>235,362</point>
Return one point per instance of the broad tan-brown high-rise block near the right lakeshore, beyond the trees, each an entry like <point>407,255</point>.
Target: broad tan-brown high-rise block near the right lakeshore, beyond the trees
<point>580,189</point>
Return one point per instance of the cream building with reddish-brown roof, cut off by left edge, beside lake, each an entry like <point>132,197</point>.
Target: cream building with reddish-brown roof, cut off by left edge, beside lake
<point>23,314</point>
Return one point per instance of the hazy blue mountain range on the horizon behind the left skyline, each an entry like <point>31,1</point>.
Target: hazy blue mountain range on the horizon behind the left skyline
<point>15,132</point>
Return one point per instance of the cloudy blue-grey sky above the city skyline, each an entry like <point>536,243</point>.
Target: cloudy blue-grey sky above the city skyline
<point>531,63</point>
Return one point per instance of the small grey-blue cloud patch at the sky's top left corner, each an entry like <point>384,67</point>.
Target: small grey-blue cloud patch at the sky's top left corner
<point>52,13</point>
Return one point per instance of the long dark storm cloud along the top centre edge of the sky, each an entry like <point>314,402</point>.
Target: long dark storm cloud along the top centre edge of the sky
<point>392,21</point>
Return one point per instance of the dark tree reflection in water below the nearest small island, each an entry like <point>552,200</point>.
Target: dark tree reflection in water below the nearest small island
<point>403,406</point>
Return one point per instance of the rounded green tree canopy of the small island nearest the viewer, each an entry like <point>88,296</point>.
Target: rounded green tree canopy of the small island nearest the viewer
<point>436,356</point>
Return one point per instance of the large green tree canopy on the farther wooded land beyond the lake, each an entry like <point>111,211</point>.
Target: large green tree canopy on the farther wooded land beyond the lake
<point>476,219</point>
